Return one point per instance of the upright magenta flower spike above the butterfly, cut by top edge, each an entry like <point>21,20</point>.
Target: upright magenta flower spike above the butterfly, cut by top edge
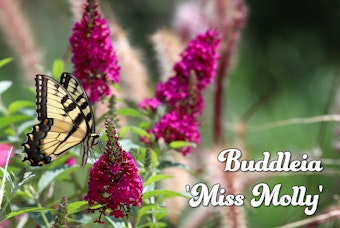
<point>94,58</point>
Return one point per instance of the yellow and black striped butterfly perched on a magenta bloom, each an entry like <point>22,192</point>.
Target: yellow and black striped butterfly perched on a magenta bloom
<point>66,120</point>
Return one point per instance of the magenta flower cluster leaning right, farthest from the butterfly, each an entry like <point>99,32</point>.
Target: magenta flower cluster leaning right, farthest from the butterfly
<point>182,93</point>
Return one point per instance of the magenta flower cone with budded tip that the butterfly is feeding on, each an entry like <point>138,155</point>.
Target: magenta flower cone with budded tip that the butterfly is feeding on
<point>114,181</point>
